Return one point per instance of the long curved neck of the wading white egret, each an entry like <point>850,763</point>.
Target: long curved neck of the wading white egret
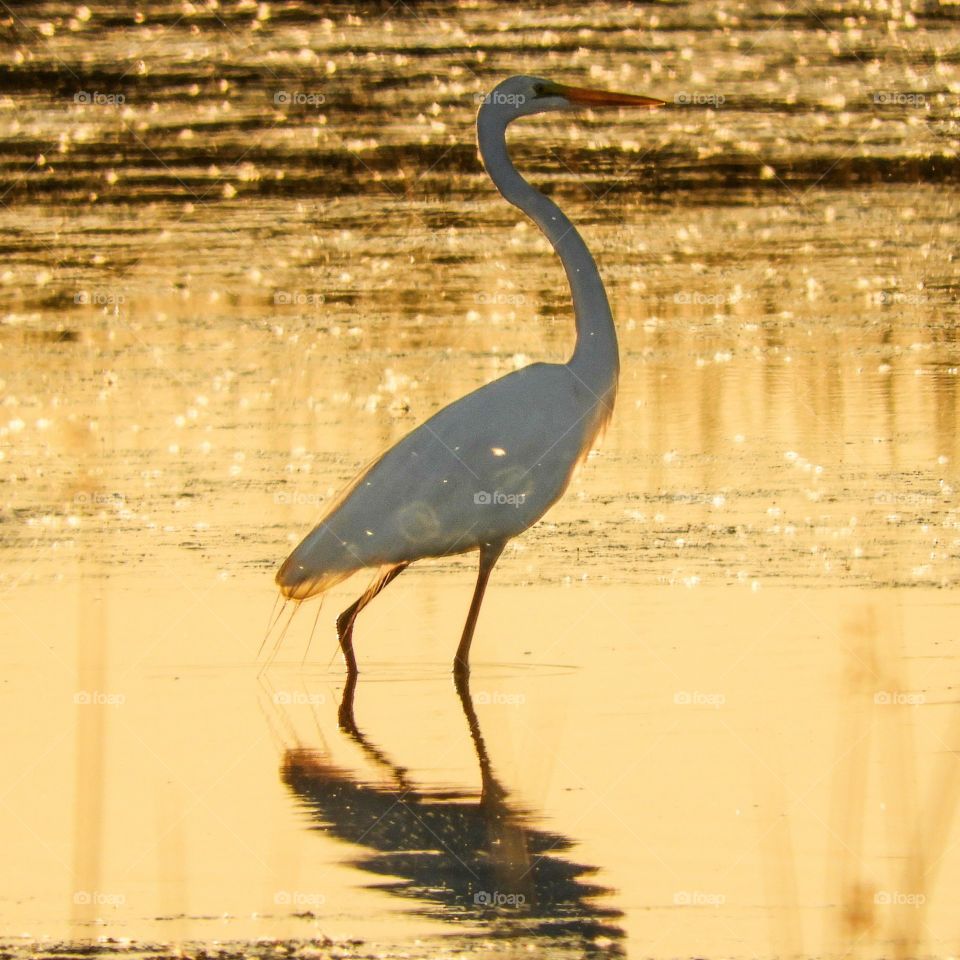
<point>595,360</point>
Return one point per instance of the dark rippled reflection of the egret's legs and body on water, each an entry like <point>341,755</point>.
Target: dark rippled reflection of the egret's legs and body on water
<point>465,859</point>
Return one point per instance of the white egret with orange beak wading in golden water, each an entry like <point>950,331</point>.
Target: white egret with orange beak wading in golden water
<point>485,468</point>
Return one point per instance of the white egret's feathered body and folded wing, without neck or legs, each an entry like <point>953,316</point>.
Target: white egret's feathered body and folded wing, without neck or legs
<point>482,469</point>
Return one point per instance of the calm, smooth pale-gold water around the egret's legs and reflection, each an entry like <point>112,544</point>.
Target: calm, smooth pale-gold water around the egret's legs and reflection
<point>729,765</point>
